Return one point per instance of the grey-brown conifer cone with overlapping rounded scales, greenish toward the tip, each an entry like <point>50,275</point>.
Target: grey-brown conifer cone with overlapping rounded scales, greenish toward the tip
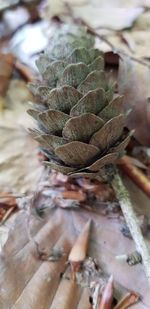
<point>80,125</point>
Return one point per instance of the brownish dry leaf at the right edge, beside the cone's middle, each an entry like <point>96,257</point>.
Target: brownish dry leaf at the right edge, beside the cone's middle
<point>133,82</point>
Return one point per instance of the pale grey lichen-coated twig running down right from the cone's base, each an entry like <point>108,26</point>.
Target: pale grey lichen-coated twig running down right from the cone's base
<point>131,220</point>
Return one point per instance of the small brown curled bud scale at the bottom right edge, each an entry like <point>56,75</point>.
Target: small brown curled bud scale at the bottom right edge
<point>129,299</point>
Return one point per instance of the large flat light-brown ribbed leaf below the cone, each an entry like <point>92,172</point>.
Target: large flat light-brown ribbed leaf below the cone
<point>29,282</point>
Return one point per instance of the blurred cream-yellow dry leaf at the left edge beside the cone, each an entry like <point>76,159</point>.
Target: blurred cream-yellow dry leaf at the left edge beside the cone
<point>20,169</point>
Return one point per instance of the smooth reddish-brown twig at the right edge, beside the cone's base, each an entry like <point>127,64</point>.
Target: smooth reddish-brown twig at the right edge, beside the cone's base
<point>135,174</point>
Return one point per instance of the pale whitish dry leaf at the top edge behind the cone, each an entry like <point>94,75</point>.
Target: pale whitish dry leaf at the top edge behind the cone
<point>115,15</point>
